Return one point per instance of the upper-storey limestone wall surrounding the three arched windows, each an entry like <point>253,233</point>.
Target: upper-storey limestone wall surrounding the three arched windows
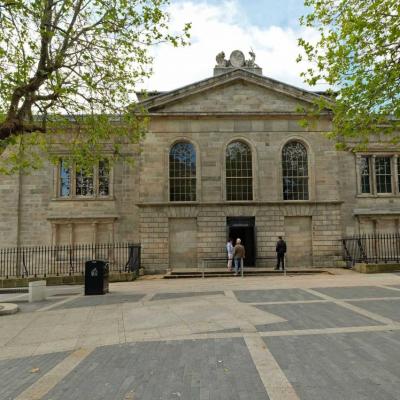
<point>210,138</point>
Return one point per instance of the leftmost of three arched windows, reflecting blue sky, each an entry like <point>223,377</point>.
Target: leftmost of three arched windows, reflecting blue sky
<point>182,172</point>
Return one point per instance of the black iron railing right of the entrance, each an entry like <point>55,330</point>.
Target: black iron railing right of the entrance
<point>372,248</point>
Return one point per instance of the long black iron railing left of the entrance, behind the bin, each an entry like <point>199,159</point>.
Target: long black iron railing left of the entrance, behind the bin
<point>67,260</point>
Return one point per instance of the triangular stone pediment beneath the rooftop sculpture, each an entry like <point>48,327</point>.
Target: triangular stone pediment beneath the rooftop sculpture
<point>238,91</point>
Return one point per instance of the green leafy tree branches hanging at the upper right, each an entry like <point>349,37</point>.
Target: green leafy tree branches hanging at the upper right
<point>358,54</point>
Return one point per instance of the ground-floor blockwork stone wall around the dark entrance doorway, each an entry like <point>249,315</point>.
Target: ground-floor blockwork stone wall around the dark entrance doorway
<point>325,234</point>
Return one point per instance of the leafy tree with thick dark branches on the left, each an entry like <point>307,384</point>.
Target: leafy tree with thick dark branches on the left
<point>72,66</point>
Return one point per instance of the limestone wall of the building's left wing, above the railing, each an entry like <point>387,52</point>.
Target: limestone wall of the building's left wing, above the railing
<point>46,219</point>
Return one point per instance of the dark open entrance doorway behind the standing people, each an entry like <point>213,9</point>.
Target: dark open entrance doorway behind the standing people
<point>243,228</point>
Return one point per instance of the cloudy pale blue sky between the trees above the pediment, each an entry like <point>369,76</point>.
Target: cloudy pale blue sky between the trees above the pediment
<point>269,27</point>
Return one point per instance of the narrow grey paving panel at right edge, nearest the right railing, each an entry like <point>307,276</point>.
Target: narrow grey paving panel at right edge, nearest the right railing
<point>357,292</point>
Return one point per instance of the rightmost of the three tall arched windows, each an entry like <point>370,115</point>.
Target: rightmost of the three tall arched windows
<point>295,171</point>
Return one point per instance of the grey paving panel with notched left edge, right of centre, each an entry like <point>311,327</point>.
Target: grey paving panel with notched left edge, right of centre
<point>313,316</point>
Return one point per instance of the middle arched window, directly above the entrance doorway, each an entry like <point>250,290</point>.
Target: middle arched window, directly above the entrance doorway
<point>239,172</point>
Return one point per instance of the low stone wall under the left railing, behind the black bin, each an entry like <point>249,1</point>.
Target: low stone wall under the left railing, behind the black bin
<point>63,280</point>
